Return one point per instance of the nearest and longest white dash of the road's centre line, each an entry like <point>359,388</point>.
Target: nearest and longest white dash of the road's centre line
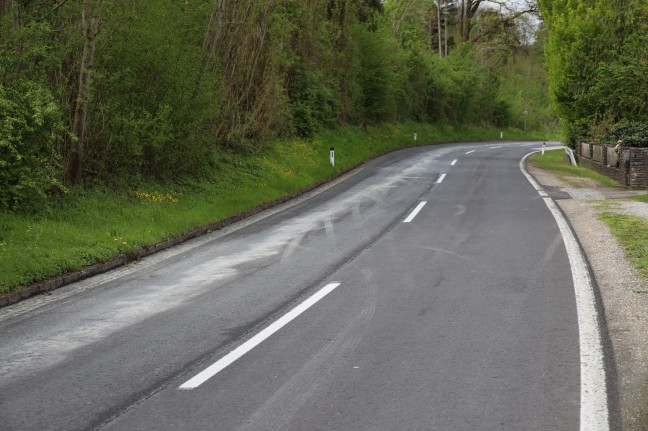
<point>235,354</point>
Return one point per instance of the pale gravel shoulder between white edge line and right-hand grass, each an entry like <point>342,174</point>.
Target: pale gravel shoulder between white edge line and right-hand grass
<point>622,290</point>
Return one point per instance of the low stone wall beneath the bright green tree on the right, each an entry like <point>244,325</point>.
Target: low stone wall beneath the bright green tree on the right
<point>629,167</point>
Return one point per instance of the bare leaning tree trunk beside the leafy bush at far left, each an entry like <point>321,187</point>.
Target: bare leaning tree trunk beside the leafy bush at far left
<point>90,24</point>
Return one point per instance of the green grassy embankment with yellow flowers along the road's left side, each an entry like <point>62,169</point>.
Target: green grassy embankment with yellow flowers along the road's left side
<point>88,226</point>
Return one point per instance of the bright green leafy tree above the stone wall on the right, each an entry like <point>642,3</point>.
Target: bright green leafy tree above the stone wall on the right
<point>597,62</point>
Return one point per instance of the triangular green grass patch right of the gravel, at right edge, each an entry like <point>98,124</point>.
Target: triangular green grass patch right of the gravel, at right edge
<point>632,233</point>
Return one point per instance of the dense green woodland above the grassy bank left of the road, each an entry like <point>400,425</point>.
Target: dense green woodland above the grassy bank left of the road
<point>169,87</point>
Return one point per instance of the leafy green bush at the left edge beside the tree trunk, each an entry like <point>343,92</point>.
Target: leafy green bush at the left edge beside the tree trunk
<point>30,125</point>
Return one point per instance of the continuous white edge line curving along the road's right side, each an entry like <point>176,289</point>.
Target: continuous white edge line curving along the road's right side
<point>594,404</point>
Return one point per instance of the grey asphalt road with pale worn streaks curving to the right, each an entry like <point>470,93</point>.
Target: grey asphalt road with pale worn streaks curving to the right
<point>462,318</point>
